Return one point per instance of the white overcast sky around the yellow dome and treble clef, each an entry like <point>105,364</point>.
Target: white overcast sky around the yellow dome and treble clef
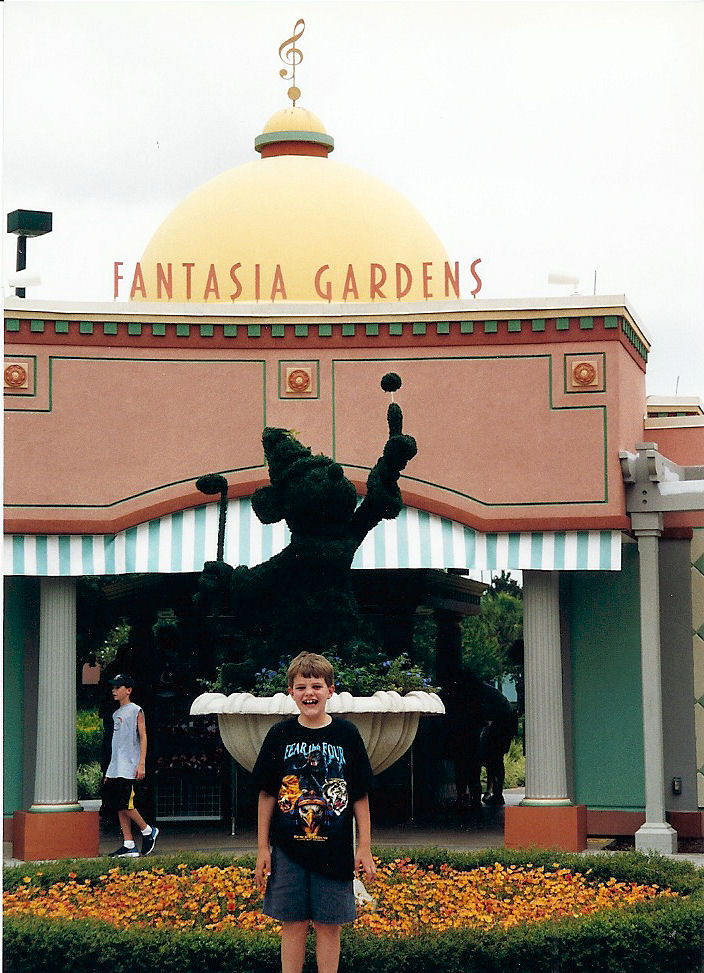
<point>559,136</point>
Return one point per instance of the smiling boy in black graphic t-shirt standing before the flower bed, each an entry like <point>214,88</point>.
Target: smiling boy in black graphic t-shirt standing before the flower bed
<point>313,775</point>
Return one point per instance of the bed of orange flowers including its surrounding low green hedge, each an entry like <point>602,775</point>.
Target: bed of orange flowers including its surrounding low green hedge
<point>489,911</point>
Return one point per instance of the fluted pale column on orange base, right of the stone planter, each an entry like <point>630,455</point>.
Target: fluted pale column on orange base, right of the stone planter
<point>546,773</point>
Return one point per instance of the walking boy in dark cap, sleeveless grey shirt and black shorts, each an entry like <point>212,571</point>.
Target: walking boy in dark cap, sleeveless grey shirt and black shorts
<point>126,767</point>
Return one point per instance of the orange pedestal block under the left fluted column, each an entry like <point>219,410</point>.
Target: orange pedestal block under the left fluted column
<point>61,834</point>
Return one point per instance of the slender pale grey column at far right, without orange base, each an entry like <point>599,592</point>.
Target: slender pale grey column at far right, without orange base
<point>656,834</point>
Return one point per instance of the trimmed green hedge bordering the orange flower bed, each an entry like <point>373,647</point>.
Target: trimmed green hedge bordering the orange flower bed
<point>660,937</point>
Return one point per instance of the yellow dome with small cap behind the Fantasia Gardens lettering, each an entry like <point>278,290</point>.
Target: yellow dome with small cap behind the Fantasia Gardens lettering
<point>297,228</point>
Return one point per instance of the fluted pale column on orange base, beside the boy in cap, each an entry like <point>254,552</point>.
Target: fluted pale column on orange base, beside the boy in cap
<point>55,786</point>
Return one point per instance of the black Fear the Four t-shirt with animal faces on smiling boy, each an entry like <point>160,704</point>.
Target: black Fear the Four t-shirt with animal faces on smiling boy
<point>316,775</point>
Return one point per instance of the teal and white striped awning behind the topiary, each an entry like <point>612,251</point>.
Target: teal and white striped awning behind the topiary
<point>183,541</point>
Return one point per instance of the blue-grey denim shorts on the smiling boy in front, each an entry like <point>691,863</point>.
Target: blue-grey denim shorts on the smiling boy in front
<point>294,894</point>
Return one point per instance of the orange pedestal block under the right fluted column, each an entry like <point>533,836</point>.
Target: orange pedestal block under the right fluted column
<point>564,828</point>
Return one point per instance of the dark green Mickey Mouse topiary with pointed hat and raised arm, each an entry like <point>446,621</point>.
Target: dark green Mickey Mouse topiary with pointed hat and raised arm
<point>302,598</point>
